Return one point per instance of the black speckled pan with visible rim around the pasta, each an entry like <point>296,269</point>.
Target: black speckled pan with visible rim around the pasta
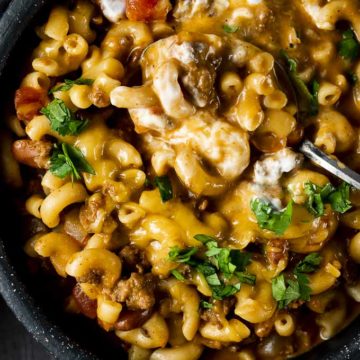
<point>33,302</point>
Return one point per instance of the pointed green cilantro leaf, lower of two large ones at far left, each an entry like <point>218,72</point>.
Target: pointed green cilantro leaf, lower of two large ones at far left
<point>69,160</point>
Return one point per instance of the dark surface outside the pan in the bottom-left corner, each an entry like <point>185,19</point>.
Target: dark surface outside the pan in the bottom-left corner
<point>15,342</point>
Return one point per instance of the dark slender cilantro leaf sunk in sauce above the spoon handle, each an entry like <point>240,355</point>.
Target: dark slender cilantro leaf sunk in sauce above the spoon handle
<point>308,99</point>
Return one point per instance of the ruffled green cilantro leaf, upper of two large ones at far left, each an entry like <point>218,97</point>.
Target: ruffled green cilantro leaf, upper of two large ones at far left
<point>62,119</point>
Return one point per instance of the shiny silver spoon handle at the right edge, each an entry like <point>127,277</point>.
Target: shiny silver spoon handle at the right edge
<point>333,166</point>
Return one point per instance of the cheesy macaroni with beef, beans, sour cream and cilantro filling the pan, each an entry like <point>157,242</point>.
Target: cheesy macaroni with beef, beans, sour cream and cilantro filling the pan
<point>167,180</point>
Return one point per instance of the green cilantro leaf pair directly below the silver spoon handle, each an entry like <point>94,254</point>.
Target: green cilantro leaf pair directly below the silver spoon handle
<point>338,198</point>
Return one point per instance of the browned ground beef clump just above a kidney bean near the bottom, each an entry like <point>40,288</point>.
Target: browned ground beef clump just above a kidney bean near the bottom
<point>137,291</point>
